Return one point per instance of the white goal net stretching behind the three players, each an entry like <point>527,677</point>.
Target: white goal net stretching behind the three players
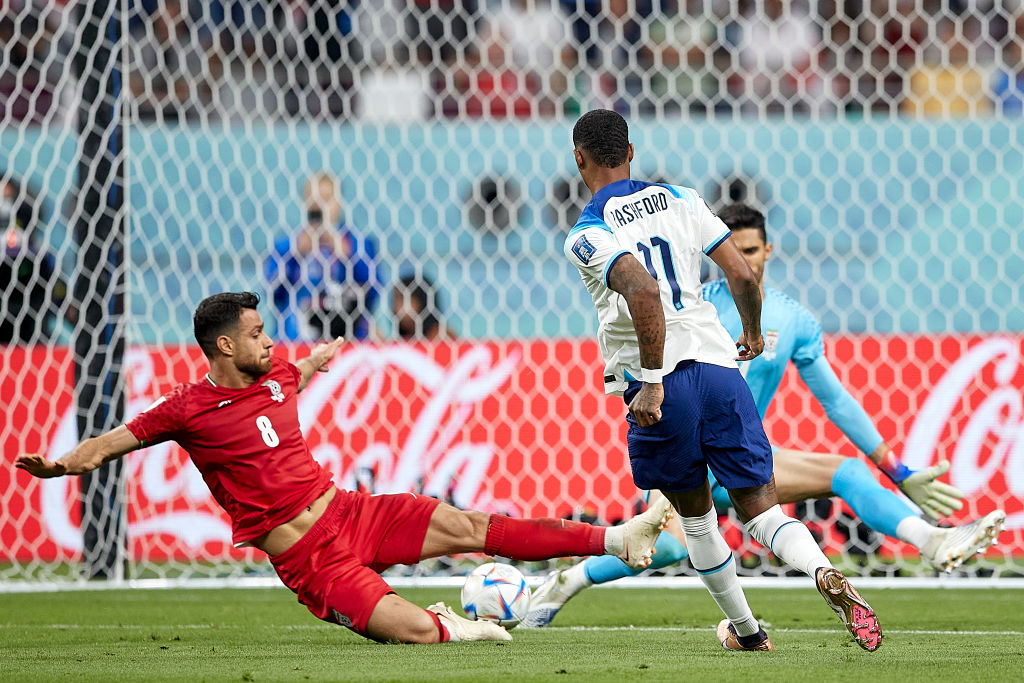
<point>402,174</point>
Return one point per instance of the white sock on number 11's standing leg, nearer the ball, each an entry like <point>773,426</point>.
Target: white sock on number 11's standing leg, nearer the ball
<point>712,558</point>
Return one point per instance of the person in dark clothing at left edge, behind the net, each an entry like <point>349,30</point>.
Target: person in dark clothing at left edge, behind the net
<point>32,292</point>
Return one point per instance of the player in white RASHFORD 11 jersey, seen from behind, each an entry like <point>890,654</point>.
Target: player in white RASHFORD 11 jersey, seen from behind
<point>637,246</point>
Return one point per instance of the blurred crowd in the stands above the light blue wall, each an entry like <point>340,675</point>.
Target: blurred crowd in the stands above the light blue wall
<point>422,60</point>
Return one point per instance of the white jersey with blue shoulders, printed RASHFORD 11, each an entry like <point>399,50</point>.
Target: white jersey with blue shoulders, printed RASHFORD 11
<point>666,228</point>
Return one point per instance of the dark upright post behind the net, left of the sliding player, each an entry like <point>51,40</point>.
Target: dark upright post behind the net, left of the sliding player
<point>99,291</point>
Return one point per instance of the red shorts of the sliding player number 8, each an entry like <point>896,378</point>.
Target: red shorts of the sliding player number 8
<point>334,568</point>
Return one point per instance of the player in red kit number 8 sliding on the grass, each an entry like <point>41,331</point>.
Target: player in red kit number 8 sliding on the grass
<point>240,426</point>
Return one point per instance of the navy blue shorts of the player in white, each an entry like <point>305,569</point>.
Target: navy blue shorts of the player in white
<point>709,420</point>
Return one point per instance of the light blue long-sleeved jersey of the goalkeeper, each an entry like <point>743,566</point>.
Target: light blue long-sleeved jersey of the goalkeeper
<point>792,333</point>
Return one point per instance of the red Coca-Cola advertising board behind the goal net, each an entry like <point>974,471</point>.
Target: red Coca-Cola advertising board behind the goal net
<point>517,428</point>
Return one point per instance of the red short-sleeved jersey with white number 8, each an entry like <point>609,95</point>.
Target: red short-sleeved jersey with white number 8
<point>247,445</point>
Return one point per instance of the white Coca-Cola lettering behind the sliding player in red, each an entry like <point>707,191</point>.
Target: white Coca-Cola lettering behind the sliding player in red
<point>338,401</point>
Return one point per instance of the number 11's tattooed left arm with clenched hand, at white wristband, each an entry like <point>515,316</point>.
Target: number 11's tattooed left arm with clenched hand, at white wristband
<point>644,298</point>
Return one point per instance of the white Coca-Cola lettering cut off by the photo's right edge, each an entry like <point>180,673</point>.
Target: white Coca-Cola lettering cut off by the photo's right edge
<point>998,419</point>
